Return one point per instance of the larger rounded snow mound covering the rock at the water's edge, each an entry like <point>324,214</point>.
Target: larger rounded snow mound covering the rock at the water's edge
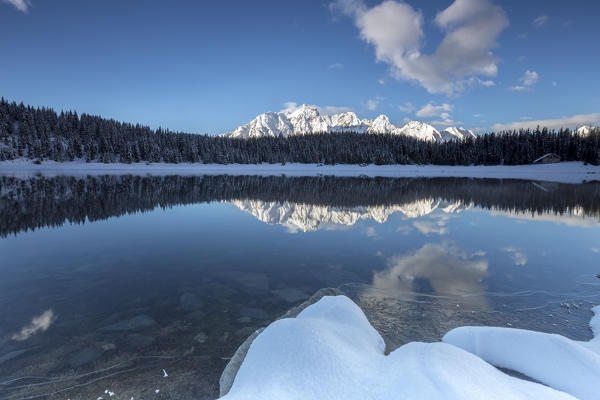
<point>330,351</point>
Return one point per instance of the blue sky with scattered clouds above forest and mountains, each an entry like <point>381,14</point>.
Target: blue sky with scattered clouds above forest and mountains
<point>202,67</point>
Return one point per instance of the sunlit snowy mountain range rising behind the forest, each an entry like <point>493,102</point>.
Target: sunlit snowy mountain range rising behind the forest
<point>308,120</point>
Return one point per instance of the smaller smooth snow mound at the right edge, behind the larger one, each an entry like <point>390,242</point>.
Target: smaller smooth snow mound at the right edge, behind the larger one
<point>564,364</point>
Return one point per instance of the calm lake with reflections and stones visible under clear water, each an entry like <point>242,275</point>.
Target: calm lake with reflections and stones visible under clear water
<point>112,282</point>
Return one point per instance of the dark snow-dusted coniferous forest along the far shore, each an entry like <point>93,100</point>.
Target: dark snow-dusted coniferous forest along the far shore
<point>41,134</point>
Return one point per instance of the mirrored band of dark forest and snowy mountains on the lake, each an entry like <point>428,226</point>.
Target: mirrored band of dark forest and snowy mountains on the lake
<point>300,204</point>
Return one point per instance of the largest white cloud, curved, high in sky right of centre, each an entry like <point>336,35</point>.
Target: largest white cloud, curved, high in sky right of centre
<point>395,29</point>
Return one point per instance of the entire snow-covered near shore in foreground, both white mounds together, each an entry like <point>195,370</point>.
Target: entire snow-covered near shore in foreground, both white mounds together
<point>330,351</point>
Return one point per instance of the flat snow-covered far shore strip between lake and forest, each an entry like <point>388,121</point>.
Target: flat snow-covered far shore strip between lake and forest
<point>565,172</point>
